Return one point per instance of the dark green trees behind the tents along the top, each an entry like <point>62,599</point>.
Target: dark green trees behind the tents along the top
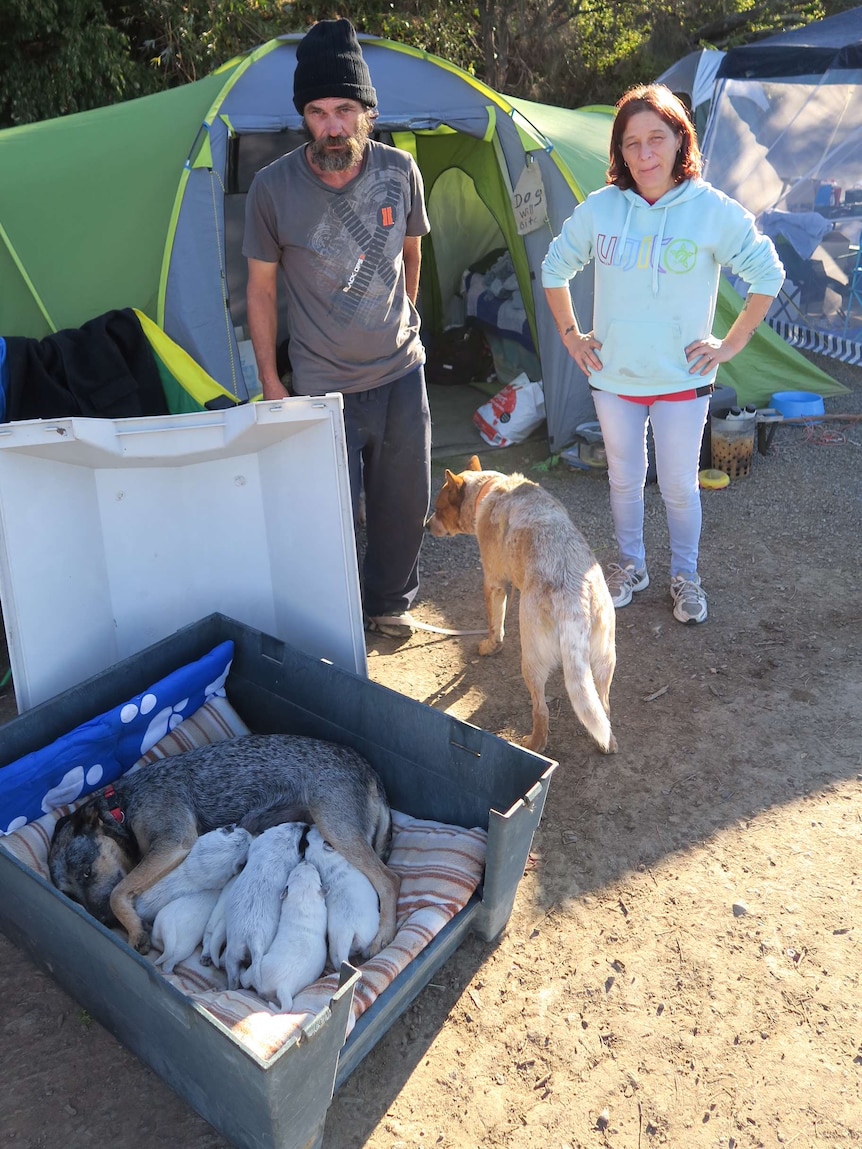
<point>70,56</point>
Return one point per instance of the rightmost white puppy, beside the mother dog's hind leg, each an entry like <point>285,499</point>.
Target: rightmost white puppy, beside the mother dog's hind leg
<point>353,909</point>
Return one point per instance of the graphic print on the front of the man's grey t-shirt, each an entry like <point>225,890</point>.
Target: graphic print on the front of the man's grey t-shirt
<point>359,242</point>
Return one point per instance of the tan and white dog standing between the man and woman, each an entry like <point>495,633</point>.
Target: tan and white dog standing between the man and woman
<point>567,616</point>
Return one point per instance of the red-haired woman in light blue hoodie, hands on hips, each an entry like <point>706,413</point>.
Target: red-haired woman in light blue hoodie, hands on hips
<point>658,236</point>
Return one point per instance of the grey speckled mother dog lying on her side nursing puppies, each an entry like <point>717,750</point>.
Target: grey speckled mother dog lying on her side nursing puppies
<point>128,837</point>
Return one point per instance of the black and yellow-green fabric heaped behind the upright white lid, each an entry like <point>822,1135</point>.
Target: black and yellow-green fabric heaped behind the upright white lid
<point>117,366</point>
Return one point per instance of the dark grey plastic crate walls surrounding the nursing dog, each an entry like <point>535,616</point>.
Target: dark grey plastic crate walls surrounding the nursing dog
<point>433,767</point>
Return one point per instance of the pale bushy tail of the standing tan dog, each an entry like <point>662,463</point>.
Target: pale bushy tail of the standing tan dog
<point>589,660</point>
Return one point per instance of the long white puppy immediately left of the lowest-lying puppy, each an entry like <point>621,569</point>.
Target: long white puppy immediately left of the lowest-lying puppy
<point>253,908</point>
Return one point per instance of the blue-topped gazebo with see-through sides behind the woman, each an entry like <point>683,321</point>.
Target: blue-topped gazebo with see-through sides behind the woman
<point>786,138</point>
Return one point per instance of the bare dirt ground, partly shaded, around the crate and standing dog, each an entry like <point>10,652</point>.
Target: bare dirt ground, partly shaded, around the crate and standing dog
<point>683,966</point>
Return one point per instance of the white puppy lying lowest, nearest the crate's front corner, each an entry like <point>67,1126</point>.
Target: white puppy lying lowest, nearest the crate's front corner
<point>298,954</point>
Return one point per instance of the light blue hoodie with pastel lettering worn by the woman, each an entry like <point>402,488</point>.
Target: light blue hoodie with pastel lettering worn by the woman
<point>650,307</point>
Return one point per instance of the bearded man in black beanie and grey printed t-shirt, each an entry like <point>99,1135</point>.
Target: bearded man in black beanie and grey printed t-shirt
<point>343,217</point>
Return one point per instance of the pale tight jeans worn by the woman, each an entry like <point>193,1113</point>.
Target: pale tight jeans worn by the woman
<point>678,434</point>
